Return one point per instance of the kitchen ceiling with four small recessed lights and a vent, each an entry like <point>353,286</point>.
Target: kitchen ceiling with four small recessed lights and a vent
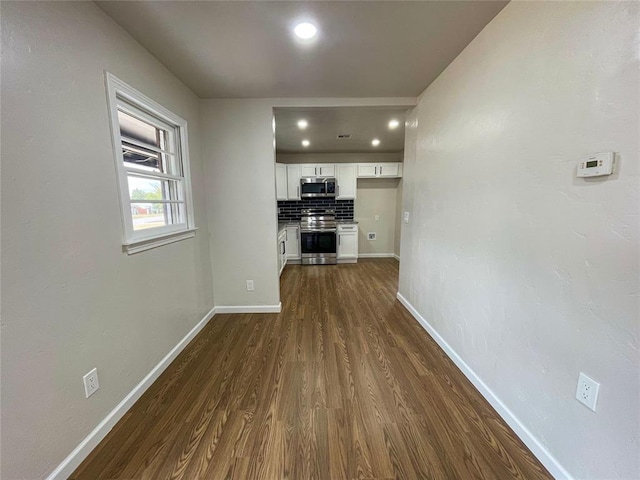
<point>325,124</point>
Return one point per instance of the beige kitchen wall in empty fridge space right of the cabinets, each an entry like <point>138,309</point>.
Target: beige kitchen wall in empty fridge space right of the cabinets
<point>376,196</point>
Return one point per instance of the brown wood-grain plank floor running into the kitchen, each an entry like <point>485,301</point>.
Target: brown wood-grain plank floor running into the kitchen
<point>343,384</point>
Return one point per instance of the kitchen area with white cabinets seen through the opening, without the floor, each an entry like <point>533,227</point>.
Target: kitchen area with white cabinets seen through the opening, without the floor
<point>325,158</point>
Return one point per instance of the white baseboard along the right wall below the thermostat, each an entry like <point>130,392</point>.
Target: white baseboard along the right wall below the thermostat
<point>541,453</point>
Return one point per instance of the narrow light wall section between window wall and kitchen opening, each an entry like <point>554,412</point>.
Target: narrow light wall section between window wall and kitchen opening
<point>240,183</point>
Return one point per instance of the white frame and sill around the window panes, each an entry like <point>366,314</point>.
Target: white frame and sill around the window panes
<point>141,240</point>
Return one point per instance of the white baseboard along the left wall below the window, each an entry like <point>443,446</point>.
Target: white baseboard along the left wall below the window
<point>75,458</point>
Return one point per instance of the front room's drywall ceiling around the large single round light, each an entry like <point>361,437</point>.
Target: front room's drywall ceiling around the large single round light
<point>246,49</point>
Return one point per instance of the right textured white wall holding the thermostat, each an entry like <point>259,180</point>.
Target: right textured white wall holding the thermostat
<point>530,274</point>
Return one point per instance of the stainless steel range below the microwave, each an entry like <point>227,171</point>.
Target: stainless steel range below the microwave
<point>318,237</point>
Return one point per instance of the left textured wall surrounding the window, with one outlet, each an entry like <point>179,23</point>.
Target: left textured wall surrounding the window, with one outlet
<point>71,299</point>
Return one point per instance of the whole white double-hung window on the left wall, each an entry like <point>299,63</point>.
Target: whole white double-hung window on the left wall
<point>152,165</point>
